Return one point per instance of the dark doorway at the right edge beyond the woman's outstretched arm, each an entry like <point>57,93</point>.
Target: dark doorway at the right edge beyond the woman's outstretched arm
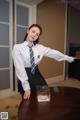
<point>73,41</point>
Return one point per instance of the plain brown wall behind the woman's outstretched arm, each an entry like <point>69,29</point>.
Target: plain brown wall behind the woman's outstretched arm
<point>51,16</point>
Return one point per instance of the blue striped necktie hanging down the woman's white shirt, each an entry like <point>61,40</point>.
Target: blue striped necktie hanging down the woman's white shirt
<point>32,61</point>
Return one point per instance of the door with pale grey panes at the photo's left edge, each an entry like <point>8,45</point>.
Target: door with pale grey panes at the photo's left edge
<point>5,48</point>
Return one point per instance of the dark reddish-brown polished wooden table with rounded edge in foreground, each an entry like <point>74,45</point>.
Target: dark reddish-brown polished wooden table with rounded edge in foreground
<point>64,105</point>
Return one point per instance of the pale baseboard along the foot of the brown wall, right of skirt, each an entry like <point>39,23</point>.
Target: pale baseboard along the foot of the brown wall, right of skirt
<point>54,79</point>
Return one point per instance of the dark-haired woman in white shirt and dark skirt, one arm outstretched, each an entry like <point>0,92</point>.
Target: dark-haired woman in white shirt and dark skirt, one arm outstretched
<point>21,56</point>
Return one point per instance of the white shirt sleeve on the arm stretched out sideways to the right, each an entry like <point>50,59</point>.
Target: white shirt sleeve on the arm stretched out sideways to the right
<point>55,54</point>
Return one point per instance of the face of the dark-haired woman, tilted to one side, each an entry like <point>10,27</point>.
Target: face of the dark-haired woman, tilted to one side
<point>33,34</point>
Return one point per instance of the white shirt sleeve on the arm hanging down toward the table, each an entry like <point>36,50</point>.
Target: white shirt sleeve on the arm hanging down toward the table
<point>19,68</point>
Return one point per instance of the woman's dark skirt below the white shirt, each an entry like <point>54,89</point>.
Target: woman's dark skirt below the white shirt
<point>34,80</point>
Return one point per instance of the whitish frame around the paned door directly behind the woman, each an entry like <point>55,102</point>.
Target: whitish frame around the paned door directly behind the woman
<point>32,19</point>
